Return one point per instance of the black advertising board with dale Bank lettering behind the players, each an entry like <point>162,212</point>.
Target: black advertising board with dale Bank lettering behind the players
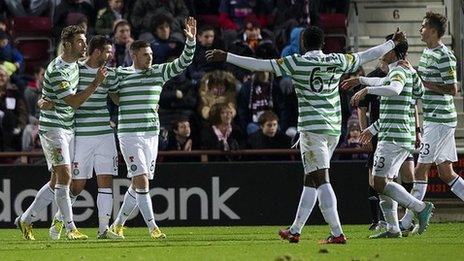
<point>206,194</point>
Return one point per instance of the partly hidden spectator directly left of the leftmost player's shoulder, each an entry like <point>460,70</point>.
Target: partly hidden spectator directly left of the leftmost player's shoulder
<point>33,90</point>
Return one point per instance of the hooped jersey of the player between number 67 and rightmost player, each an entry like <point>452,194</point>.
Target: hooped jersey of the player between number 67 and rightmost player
<point>396,123</point>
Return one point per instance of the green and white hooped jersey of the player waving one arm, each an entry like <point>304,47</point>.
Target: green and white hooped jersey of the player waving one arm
<point>139,93</point>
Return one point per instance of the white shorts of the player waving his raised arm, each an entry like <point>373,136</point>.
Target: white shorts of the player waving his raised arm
<point>140,154</point>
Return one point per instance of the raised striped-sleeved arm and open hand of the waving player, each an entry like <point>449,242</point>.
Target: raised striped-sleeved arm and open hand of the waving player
<point>171,69</point>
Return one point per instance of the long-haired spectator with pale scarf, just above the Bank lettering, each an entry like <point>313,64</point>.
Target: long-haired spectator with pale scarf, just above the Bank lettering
<point>222,134</point>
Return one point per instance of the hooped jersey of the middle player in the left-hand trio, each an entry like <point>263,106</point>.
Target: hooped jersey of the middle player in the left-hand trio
<point>92,117</point>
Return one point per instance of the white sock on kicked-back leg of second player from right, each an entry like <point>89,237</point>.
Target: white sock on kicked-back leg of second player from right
<point>400,195</point>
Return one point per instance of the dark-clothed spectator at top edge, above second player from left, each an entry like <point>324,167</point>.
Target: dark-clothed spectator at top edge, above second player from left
<point>107,16</point>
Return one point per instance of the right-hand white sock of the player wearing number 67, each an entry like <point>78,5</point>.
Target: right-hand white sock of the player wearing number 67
<point>328,206</point>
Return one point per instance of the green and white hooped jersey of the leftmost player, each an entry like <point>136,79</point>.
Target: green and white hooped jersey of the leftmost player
<point>60,80</point>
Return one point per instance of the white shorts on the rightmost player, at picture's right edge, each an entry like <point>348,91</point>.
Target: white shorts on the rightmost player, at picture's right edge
<point>438,144</point>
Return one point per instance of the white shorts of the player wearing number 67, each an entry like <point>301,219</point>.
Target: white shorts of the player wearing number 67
<point>316,150</point>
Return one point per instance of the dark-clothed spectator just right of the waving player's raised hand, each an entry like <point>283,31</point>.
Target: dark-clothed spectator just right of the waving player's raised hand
<point>205,41</point>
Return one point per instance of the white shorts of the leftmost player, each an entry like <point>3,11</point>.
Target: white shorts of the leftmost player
<point>58,147</point>
